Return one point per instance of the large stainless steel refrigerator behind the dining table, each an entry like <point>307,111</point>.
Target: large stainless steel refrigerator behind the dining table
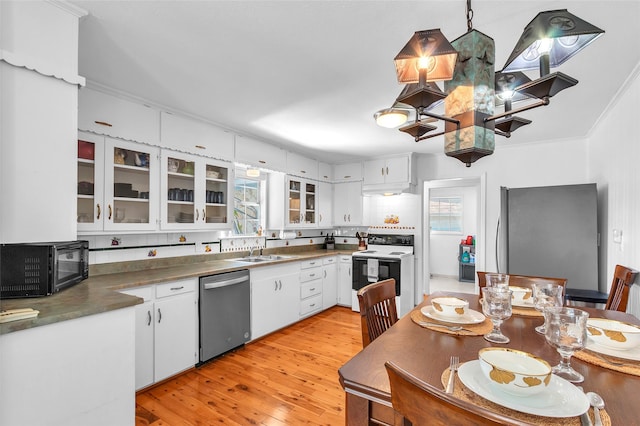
<point>550,231</point>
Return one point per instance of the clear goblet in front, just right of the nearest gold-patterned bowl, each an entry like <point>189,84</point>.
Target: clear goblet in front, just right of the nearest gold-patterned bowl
<point>567,332</point>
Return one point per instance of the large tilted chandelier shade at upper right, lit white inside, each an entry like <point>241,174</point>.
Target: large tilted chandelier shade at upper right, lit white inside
<point>559,32</point>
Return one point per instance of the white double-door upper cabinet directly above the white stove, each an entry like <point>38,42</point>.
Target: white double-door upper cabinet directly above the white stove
<point>393,174</point>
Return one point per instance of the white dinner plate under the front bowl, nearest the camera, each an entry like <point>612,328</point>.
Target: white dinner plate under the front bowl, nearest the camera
<point>561,399</point>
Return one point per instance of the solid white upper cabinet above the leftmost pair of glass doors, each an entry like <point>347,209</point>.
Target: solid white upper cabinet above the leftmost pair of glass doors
<point>112,116</point>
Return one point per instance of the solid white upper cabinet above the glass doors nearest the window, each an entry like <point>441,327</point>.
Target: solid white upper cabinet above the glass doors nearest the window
<point>195,137</point>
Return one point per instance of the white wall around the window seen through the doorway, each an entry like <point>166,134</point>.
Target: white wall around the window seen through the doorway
<point>443,255</point>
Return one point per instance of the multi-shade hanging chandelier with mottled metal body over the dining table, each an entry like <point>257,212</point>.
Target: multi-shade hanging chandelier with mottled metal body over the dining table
<point>473,88</point>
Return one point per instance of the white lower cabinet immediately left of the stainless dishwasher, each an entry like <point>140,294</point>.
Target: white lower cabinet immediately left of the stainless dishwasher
<point>166,330</point>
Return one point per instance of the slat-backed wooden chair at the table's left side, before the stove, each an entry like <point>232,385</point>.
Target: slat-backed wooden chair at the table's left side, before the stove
<point>378,309</point>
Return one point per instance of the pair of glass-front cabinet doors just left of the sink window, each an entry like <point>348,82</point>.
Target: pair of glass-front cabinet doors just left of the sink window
<point>195,192</point>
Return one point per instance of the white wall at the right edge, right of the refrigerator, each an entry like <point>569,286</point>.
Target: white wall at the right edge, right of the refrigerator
<point>613,155</point>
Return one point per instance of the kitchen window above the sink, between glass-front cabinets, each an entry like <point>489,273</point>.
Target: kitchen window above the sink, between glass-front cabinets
<point>248,204</point>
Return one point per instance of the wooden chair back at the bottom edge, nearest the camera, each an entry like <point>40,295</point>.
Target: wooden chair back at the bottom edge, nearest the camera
<point>418,403</point>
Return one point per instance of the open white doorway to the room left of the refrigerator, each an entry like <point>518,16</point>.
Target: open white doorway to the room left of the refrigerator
<point>476,187</point>
